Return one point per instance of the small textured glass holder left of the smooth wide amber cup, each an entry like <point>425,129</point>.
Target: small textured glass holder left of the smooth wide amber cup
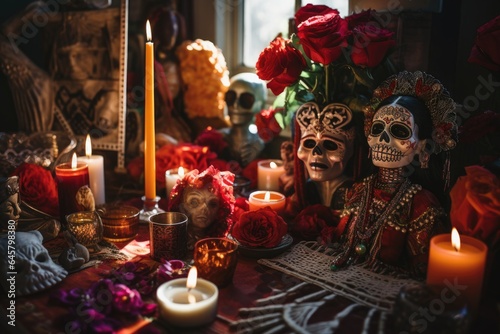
<point>86,227</point>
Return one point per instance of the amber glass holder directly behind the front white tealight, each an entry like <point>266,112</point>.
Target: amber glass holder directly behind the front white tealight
<point>216,259</point>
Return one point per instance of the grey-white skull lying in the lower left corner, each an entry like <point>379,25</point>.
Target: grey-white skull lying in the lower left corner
<point>35,270</point>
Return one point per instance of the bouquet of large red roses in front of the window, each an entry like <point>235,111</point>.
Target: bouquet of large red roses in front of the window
<point>329,58</point>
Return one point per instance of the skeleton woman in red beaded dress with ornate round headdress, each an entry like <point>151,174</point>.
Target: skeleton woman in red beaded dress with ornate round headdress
<point>387,221</point>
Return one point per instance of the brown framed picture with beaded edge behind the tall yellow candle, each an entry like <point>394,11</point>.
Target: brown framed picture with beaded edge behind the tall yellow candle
<point>87,61</point>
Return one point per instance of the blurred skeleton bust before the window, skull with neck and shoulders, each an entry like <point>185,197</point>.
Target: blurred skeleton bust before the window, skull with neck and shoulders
<point>246,96</point>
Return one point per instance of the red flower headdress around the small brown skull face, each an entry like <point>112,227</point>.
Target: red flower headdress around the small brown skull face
<point>219,183</point>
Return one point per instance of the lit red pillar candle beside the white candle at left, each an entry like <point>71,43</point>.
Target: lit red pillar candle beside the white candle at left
<point>70,177</point>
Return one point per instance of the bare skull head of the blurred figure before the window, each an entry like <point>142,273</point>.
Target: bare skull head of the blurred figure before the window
<point>246,96</point>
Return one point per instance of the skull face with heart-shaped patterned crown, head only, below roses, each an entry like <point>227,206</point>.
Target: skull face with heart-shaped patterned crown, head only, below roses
<point>325,145</point>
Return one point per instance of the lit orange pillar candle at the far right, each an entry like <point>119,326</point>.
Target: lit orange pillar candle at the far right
<point>458,265</point>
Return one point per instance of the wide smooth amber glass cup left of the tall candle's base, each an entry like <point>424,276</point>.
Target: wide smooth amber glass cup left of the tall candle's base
<point>120,222</point>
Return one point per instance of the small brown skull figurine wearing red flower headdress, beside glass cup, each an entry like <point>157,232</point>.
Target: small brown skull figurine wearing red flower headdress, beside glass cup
<point>207,200</point>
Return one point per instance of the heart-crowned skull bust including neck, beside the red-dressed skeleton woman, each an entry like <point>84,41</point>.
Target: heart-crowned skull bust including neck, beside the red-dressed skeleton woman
<point>326,145</point>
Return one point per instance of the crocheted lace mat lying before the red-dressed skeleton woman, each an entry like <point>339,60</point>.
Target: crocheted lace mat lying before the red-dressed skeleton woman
<point>310,262</point>
